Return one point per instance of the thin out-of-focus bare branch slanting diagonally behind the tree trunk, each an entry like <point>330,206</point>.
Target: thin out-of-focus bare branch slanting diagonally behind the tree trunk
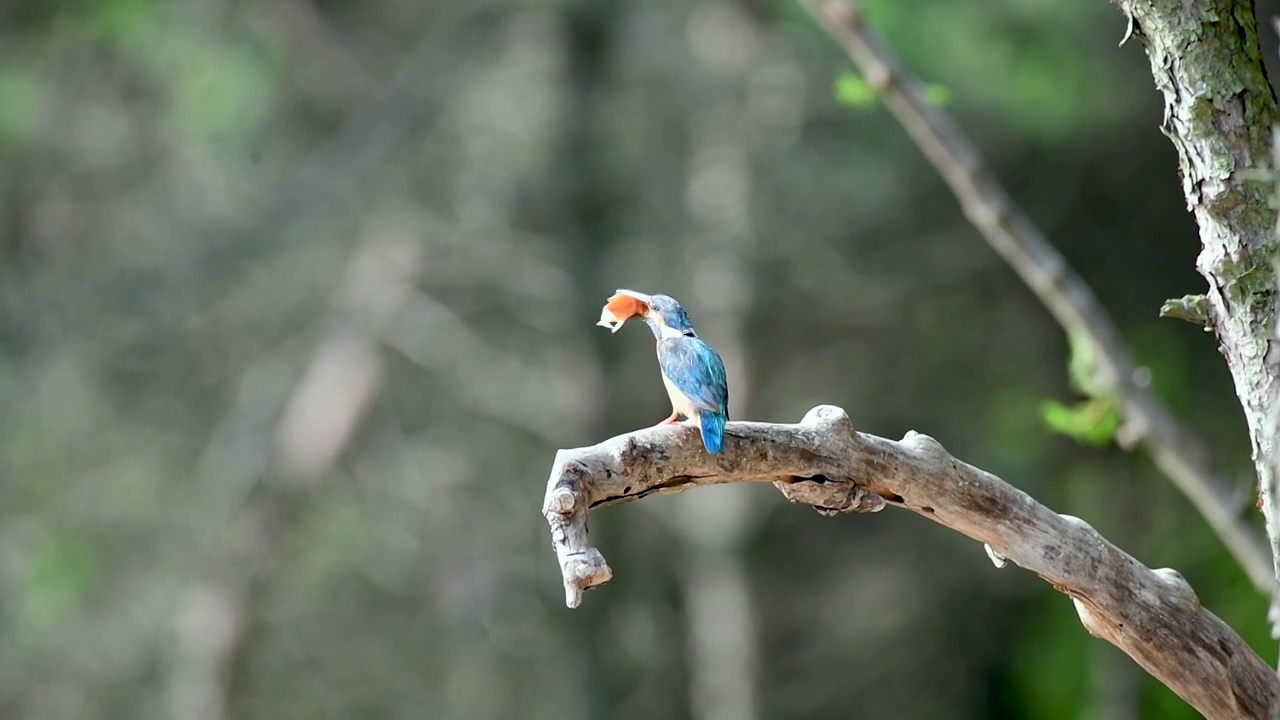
<point>1178,453</point>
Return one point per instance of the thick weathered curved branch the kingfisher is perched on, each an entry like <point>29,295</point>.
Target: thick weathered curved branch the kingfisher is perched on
<point>1153,616</point>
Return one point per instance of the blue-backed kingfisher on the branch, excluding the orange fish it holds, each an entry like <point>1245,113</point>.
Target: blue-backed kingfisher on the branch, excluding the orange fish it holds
<point>692,371</point>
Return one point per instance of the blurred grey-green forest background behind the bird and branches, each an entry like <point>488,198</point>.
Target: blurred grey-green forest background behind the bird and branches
<point>298,303</point>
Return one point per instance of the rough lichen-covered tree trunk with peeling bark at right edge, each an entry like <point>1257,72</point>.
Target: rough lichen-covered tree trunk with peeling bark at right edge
<point>1219,115</point>
